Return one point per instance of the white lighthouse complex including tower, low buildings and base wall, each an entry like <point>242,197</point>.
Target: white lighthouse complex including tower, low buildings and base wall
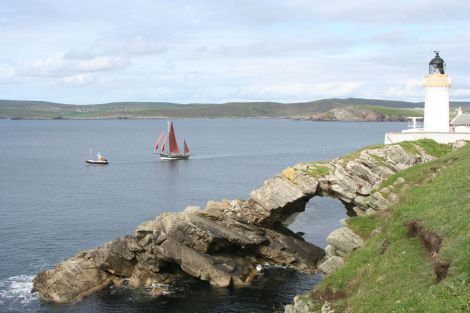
<point>436,124</point>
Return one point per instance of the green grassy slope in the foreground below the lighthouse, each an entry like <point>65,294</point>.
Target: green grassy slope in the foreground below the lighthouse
<point>402,278</point>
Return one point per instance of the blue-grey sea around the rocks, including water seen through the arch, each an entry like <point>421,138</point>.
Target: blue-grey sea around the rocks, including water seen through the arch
<point>52,205</point>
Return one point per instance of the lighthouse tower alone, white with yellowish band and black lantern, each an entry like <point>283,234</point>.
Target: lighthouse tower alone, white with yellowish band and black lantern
<point>436,102</point>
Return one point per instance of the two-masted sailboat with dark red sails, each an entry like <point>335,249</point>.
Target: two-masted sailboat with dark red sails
<point>173,152</point>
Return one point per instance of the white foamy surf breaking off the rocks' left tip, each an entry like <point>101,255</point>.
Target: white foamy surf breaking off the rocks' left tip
<point>15,294</point>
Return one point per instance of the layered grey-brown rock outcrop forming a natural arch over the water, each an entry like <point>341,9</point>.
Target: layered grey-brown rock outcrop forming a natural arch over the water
<point>224,242</point>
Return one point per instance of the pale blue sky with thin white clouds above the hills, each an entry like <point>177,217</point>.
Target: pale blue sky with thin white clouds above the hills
<point>86,52</point>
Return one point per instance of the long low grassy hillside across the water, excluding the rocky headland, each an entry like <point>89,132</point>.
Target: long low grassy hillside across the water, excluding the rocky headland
<point>38,109</point>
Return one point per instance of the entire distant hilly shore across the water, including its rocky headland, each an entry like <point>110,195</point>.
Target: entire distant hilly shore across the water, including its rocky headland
<point>373,109</point>
